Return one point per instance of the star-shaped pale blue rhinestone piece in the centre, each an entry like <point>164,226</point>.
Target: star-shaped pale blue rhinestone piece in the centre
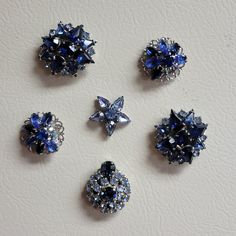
<point>110,114</point>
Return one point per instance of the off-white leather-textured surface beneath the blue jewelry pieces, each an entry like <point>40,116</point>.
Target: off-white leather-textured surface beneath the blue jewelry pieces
<point>44,196</point>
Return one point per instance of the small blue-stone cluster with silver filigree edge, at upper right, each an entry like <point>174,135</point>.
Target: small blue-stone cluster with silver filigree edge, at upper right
<point>163,59</point>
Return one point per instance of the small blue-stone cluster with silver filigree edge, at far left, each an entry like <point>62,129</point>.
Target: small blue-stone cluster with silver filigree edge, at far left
<point>42,133</point>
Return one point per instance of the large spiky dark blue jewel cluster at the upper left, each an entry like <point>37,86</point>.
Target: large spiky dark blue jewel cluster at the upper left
<point>67,49</point>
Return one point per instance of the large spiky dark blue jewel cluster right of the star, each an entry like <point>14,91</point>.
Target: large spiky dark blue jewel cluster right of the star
<point>181,137</point>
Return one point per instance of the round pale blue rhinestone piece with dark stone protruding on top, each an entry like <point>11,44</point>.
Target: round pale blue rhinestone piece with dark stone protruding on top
<point>108,189</point>
